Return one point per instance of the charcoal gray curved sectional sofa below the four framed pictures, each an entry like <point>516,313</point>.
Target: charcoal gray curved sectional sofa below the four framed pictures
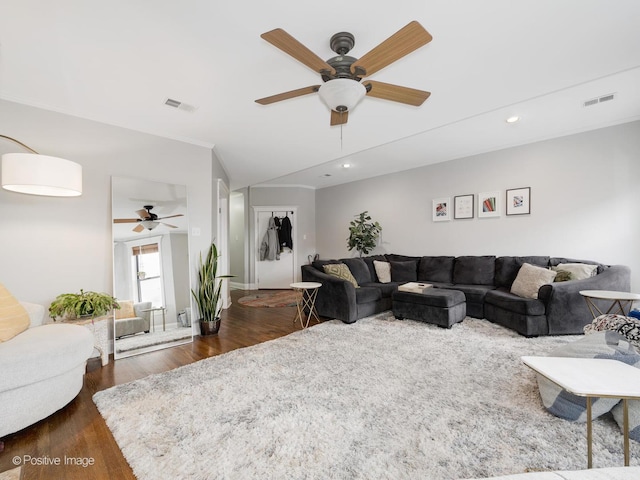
<point>485,281</point>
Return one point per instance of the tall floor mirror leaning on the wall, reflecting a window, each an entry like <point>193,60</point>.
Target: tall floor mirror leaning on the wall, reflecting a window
<point>150,266</point>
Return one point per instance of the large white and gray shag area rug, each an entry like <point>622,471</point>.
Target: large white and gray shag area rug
<point>379,399</point>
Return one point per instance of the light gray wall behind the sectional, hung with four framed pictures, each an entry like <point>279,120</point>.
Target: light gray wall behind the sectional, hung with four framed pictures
<point>584,203</point>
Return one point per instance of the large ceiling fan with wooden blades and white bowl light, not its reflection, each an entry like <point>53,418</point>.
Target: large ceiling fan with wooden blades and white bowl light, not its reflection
<point>342,74</point>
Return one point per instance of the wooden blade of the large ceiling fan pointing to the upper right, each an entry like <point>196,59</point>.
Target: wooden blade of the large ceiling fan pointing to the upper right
<point>403,42</point>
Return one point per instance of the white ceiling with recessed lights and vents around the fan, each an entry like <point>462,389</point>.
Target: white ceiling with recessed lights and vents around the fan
<point>118,61</point>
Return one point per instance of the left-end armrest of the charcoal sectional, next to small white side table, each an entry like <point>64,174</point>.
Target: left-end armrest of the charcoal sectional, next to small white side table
<point>336,298</point>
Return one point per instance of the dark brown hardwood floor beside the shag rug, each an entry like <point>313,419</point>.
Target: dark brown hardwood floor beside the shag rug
<point>78,431</point>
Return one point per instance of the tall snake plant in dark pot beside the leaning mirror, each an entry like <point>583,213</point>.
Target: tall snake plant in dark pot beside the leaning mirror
<point>208,291</point>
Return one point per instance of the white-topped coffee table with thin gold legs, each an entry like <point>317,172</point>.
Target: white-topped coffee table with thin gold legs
<point>592,377</point>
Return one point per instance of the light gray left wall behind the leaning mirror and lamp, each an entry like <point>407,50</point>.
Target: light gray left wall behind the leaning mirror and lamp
<point>55,245</point>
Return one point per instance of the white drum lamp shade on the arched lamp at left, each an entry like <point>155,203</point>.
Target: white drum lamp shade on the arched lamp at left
<point>36,174</point>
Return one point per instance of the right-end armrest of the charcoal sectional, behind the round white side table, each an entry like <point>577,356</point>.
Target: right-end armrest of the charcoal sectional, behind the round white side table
<point>567,310</point>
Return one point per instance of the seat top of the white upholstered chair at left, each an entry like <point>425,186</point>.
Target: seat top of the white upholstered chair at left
<point>44,352</point>
